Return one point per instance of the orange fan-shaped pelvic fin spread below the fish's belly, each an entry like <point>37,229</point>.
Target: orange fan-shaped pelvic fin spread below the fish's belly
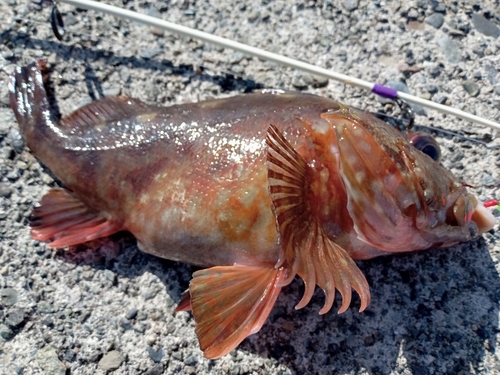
<point>230,303</point>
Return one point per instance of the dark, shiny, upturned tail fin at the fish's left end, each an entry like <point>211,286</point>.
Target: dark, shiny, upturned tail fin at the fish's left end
<point>30,102</point>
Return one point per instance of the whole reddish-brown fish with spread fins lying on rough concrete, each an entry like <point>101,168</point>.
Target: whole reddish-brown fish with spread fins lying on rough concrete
<point>255,189</point>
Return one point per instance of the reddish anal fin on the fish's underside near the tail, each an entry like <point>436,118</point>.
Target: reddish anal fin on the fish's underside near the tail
<point>64,220</point>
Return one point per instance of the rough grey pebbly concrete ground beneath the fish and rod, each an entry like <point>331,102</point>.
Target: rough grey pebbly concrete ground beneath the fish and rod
<point>108,307</point>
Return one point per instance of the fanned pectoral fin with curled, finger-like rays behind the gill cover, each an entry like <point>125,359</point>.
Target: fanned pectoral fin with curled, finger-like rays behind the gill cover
<point>306,250</point>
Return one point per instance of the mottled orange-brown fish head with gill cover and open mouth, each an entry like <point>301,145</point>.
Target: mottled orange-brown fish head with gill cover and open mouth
<point>399,198</point>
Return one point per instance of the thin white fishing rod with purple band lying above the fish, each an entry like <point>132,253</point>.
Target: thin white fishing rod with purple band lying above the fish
<point>376,88</point>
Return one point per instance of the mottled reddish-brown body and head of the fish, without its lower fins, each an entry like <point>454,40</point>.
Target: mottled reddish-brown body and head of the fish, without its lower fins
<point>190,181</point>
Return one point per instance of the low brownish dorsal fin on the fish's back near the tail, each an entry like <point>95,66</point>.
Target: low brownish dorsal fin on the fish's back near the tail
<point>106,110</point>
